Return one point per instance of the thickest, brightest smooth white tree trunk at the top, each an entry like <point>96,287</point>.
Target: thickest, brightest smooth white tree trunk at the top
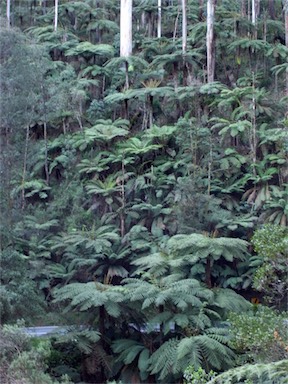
<point>125,28</point>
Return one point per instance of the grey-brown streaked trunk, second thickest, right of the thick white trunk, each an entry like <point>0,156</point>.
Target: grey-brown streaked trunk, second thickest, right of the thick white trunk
<point>210,40</point>
